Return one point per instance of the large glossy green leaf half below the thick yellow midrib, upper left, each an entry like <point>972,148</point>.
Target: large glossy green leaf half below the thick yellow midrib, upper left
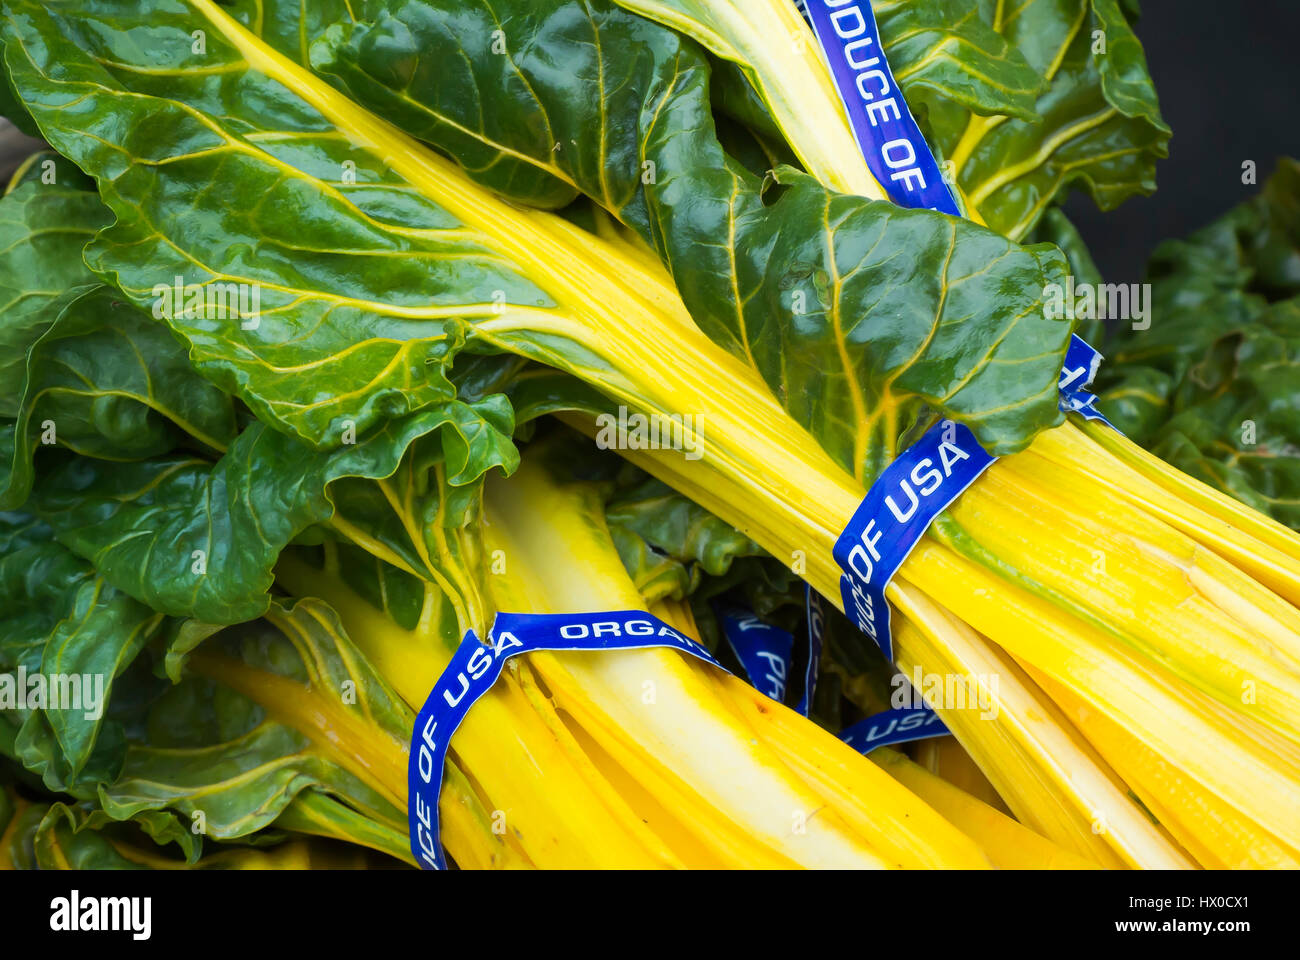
<point>365,284</point>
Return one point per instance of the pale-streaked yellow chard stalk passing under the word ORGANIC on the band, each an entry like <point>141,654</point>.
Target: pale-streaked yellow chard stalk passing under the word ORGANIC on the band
<point>560,560</point>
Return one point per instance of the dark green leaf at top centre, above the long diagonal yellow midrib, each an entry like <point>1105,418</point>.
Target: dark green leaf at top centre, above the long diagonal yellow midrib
<point>545,122</point>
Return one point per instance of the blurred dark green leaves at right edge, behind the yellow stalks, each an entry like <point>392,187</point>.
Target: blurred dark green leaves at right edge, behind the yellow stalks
<point>1214,384</point>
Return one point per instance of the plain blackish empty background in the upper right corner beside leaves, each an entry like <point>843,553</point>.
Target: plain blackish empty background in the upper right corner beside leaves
<point>1228,73</point>
